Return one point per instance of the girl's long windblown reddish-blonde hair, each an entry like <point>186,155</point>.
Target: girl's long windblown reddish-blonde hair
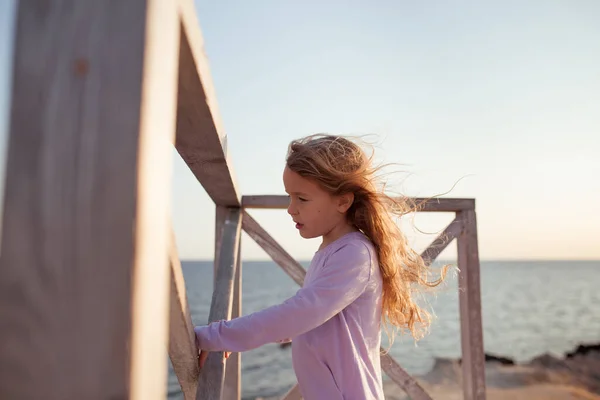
<point>339,166</point>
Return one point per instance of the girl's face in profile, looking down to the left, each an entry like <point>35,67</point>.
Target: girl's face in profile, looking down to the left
<point>315,212</point>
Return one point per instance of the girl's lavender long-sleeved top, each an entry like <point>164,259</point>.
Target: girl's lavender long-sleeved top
<point>333,321</point>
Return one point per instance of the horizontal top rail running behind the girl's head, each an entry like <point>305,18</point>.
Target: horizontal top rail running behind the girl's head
<point>424,204</point>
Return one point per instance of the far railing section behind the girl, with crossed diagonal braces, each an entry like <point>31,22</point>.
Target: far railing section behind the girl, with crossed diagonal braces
<point>463,228</point>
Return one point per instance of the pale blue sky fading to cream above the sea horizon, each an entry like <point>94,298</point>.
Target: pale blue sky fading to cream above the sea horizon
<point>497,101</point>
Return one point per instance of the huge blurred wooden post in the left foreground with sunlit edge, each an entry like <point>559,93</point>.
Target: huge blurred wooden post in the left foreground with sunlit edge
<point>83,278</point>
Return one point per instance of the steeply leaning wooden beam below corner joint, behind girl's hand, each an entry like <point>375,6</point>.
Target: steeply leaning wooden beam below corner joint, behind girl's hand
<point>211,380</point>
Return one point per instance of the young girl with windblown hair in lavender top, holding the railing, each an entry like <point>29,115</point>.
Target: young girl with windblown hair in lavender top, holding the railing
<point>362,274</point>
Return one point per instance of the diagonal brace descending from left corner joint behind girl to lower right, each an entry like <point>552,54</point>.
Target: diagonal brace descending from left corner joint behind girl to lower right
<point>297,273</point>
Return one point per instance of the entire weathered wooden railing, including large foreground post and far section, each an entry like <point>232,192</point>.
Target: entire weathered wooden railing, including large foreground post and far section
<point>99,92</point>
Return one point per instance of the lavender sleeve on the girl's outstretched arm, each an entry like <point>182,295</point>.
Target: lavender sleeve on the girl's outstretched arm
<point>342,280</point>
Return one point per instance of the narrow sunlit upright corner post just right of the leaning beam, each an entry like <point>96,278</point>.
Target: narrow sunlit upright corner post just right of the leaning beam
<point>232,389</point>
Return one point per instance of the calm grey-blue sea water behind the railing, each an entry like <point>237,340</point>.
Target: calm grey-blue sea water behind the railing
<point>529,308</point>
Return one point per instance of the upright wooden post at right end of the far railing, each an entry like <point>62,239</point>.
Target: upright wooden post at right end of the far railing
<point>473,357</point>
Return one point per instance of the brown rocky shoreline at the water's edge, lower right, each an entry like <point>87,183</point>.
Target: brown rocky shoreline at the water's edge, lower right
<point>574,376</point>
